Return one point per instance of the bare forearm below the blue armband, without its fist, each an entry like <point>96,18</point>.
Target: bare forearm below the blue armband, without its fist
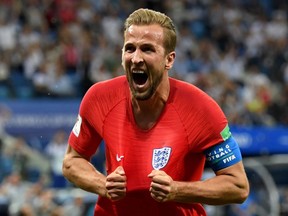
<point>230,185</point>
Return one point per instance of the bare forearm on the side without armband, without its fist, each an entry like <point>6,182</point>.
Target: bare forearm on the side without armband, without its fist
<point>83,174</point>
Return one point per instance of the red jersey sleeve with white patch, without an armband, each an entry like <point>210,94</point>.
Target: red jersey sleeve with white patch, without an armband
<point>95,106</point>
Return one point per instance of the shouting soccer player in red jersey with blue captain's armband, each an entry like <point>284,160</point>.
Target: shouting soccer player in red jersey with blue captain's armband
<point>158,133</point>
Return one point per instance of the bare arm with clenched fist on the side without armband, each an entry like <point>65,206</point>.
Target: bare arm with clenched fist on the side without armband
<point>83,174</point>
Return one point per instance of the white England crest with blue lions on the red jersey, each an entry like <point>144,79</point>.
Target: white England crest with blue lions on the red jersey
<point>160,157</point>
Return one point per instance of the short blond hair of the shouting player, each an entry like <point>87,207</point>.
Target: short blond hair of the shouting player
<point>147,17</point>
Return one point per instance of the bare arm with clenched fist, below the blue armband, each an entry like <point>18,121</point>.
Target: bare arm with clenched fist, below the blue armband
<point>230,185</point>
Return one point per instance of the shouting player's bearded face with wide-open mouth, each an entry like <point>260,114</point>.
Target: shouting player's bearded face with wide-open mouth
<point>143,59</point>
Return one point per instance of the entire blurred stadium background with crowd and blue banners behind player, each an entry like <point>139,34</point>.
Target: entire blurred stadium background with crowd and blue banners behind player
<point>52,51</point>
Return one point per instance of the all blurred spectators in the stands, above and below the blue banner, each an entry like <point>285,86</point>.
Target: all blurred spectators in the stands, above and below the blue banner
<point>235,50</point>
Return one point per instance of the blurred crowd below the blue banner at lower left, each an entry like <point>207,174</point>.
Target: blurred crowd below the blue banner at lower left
<point>31,180</point>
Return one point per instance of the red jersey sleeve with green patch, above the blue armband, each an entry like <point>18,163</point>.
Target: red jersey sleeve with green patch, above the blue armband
<point>204,121</point>
